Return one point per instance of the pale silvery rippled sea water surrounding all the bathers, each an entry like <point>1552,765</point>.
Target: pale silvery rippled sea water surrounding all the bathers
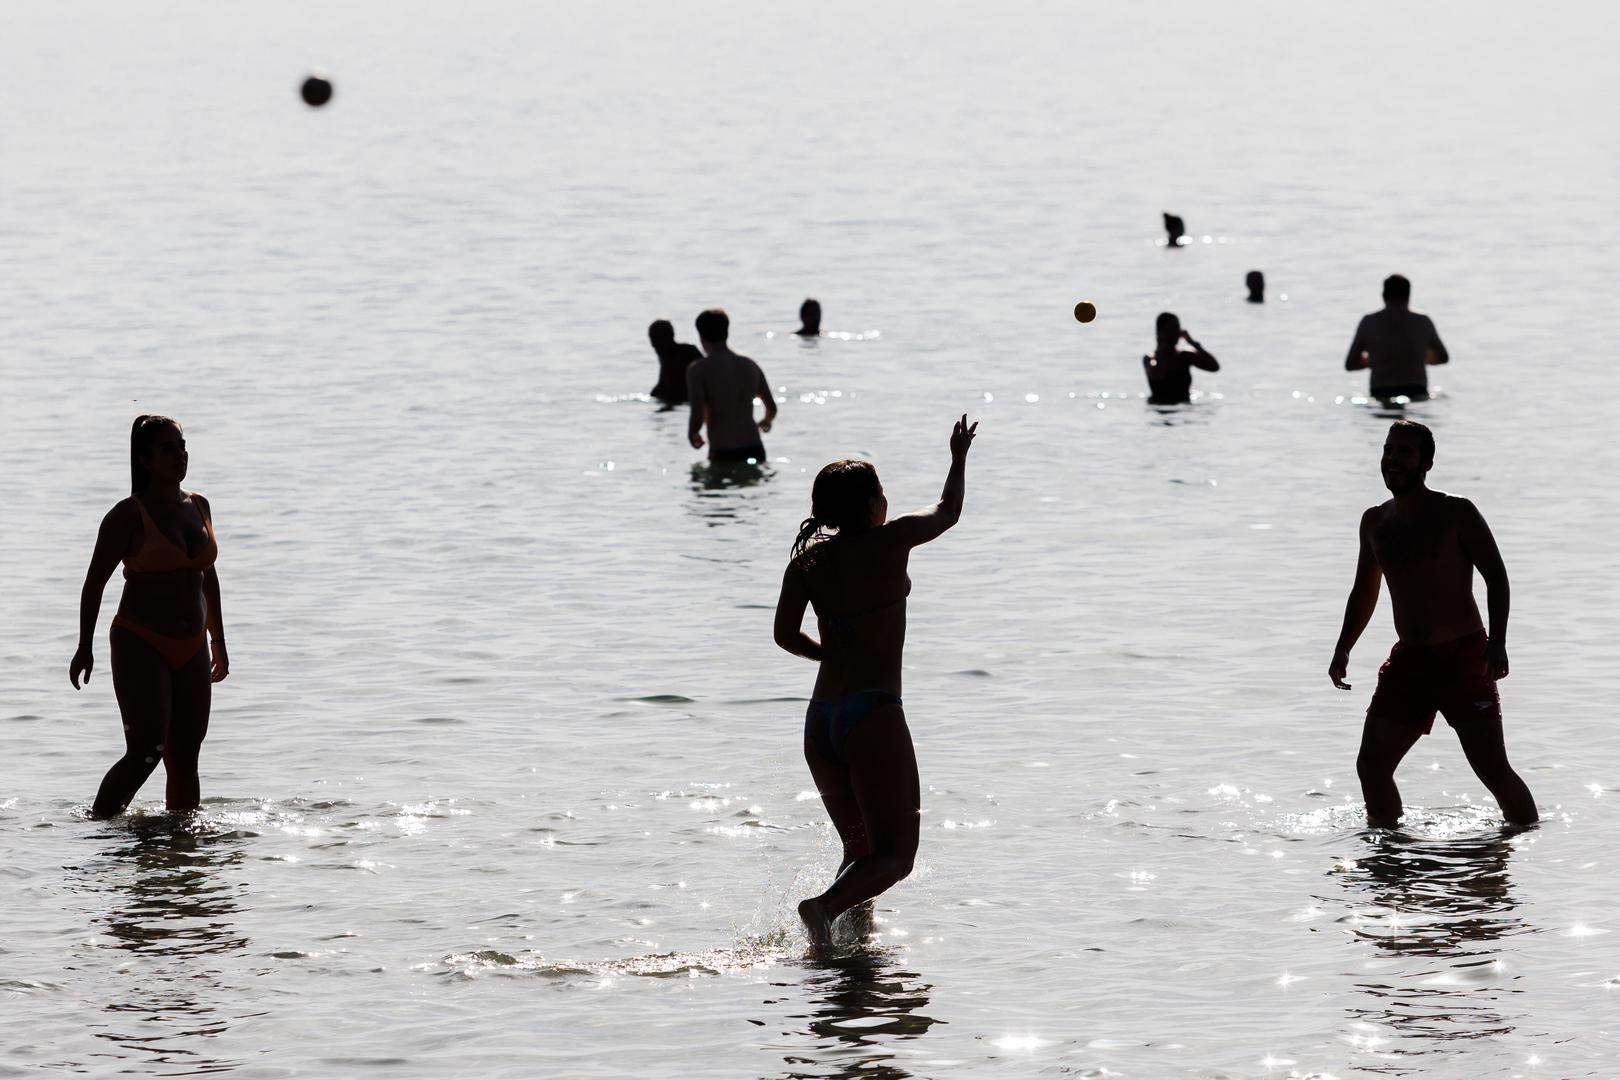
<point>506,778</point>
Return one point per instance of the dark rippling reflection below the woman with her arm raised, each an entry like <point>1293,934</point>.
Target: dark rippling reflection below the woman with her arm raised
<point>864,1006</point>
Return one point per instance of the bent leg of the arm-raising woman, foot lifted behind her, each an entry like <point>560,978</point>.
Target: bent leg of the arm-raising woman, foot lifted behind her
<point>884,780</point>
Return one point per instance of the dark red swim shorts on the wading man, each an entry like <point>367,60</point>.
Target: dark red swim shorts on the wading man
<point>1451,678</point>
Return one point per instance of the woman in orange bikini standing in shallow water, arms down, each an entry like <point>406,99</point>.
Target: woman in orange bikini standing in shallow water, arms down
<point>161,671</point>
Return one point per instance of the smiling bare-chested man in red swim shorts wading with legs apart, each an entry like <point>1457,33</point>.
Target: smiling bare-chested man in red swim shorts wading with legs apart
<point>1428,546</point>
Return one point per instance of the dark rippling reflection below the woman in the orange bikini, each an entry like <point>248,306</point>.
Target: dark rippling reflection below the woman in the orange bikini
<point>171,911</point>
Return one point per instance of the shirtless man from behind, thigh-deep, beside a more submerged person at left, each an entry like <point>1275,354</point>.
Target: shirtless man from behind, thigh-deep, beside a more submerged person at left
<point>723,388</point>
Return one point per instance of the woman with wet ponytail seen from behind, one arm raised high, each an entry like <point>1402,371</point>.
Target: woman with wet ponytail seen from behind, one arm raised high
<point>850,563</point>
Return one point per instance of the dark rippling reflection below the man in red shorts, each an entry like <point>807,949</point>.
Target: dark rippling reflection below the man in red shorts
<point>1436,914</point>
